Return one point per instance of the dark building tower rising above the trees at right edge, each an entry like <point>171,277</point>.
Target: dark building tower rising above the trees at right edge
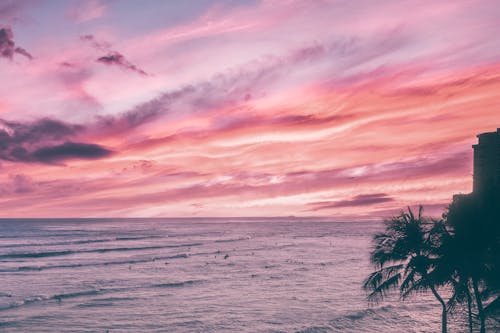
<point>487,163</point>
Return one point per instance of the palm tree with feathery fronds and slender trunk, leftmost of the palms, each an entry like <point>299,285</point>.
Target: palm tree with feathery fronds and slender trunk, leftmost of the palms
<point>403,258</point>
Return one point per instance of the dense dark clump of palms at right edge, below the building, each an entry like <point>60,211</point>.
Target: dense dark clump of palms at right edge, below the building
<point>467,253</point>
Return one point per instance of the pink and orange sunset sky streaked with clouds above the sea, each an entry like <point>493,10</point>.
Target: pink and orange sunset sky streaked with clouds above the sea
<point>346,109</point>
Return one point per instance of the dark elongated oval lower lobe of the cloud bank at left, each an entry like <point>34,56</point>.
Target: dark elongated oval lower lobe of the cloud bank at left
<point>70,150</point>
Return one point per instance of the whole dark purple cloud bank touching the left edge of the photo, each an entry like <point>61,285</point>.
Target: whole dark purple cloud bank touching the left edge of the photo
<point>44,141</point>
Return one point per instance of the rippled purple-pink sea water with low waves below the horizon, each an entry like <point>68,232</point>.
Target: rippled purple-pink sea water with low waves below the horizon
<point>193,275</point>
